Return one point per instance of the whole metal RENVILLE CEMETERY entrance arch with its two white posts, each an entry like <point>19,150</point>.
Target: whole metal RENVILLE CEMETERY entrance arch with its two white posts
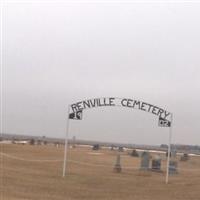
<point>75,112</point>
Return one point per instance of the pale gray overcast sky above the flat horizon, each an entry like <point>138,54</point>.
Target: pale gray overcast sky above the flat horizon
<point>57,54</point>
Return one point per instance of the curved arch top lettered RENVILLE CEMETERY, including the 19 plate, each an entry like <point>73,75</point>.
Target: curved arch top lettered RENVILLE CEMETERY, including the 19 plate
<point>78,107</point>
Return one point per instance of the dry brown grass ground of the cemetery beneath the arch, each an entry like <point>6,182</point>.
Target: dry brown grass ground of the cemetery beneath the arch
<point>90,176</point>
